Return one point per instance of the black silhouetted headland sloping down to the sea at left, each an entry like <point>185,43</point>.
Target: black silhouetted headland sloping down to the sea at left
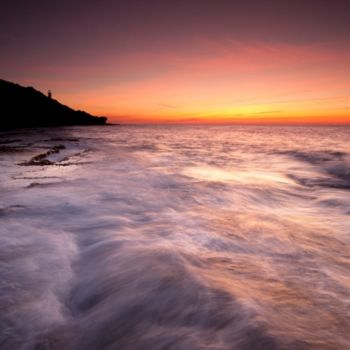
<point>25,107</point>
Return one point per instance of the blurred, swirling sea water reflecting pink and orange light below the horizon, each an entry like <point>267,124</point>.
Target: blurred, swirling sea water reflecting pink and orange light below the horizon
<point>175,238</point>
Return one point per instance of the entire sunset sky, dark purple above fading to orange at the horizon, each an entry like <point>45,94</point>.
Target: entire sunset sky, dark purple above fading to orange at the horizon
<point>181,61</point>
